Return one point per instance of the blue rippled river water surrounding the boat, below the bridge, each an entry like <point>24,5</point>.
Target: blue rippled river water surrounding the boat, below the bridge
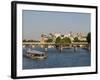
<point>67,58</point>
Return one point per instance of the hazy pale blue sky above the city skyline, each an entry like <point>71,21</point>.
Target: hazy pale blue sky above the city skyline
<point>34,23</point>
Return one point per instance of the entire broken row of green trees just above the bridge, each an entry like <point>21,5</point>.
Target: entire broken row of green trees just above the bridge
<point>65,40</point>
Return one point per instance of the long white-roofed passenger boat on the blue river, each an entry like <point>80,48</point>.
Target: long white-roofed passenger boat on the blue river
<point>34,54</point>
